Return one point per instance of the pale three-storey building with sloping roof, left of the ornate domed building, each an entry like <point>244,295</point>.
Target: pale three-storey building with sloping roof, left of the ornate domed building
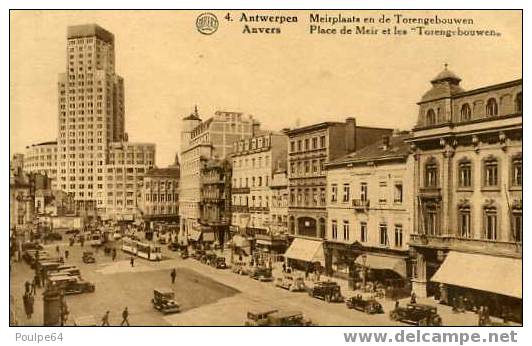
<point>371,213</point>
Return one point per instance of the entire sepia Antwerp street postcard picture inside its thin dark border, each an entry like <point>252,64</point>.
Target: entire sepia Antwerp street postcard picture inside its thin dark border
<point>265,168</point>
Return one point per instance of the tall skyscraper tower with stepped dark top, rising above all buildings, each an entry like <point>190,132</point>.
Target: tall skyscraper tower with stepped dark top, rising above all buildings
<point>91,111</point>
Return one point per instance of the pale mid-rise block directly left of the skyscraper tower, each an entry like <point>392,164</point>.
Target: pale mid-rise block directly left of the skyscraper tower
<point>42,158</point>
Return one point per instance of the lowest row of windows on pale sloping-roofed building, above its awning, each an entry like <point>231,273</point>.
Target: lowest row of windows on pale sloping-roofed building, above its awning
<point>363,233</point>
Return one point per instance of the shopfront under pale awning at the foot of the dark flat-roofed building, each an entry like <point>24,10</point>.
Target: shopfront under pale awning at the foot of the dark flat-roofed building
<point>305,254</point>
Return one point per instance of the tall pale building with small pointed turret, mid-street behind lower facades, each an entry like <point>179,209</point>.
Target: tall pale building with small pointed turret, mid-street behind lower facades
<point>202,141</point>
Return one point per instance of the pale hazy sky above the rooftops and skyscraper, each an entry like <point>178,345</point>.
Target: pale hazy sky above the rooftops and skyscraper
<point>284,80</point>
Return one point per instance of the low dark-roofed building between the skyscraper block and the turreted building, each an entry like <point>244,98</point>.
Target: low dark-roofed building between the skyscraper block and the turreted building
<point>160,199</point>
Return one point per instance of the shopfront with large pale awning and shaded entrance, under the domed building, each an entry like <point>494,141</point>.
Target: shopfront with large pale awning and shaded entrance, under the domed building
<point>474,280</point>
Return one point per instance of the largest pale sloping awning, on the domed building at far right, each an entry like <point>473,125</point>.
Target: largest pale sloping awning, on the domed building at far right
<point>499,275</point>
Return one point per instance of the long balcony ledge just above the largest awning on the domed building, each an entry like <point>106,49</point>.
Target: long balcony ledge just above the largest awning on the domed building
<point>451,242</point>
